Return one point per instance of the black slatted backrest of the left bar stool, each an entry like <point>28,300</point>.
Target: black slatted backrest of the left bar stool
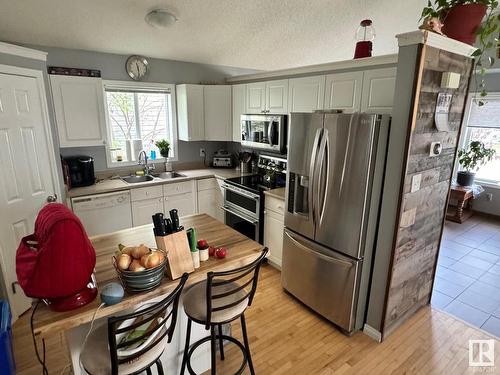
<point>160,317</point>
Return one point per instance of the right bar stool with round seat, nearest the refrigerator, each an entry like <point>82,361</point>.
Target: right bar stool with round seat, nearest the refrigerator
<point>219,300</point>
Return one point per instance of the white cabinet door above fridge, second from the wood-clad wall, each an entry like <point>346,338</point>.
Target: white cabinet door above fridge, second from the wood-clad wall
<point>343,91</point>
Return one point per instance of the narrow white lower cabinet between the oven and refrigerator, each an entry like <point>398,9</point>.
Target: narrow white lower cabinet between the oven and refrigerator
<point>274,222</point>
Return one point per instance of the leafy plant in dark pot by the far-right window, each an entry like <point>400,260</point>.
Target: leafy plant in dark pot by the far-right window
<point>476,155</point>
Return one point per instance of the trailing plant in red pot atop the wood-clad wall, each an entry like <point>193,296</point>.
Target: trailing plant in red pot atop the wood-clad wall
<point>462,21</point>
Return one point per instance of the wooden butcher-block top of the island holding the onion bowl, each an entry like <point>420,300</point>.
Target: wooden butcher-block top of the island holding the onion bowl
<point>241,251</point>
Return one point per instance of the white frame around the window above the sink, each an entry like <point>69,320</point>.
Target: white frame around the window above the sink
<point>124,85</point>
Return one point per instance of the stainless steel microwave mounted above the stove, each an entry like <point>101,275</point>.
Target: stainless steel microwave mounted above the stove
<point>265,132</point>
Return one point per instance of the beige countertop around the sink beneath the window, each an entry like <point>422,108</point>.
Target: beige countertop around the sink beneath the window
<point>110,185</point>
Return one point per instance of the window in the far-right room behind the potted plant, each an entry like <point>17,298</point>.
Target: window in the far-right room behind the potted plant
<point>483,124</point>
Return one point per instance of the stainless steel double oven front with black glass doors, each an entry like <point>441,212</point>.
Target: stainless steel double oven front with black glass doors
<point>242,211</point>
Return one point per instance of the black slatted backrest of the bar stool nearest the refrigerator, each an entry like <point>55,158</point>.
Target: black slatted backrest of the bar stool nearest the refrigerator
<point>227,289</point>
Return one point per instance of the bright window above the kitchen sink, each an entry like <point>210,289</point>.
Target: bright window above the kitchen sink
<point>138,115</point>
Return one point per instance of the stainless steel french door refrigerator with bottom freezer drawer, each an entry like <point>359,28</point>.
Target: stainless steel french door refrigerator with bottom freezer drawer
<point>336,164</point>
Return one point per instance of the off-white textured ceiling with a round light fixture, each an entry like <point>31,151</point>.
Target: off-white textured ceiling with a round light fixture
<point>258,34</point>
